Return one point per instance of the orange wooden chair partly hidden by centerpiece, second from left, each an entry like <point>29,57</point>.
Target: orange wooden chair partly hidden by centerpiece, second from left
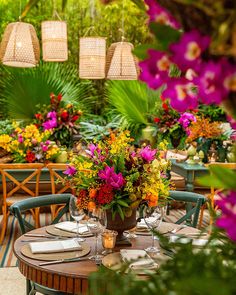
<point>58,185</point>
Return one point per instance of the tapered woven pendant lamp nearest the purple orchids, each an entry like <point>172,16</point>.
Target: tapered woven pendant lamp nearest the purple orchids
<point>121,64</point>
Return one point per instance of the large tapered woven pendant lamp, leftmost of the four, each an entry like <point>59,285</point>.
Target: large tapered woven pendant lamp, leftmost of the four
<point>20,46</point>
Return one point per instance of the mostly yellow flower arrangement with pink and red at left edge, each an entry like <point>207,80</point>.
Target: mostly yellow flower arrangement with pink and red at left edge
<point>29,145</point>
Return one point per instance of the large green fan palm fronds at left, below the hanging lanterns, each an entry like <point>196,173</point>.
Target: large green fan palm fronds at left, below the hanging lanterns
<point>24,89</point>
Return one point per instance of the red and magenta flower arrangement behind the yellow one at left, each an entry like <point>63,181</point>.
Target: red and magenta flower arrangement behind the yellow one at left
<point>60,118</point>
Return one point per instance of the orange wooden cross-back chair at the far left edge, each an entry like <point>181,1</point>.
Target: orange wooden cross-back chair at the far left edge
<point>20,176</point>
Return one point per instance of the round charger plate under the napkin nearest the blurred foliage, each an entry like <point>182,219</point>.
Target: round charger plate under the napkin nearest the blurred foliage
<point>114,262</point>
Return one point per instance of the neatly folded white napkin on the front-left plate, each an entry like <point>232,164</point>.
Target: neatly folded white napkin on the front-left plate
<point>55,246</point>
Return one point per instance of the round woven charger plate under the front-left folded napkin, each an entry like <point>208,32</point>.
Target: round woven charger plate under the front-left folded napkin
<point>26,251</point>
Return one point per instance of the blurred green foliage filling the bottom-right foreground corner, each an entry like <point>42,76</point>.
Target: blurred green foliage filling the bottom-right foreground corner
<point>208,271</point>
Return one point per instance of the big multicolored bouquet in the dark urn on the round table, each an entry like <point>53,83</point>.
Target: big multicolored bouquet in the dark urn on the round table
<point>117,176</point>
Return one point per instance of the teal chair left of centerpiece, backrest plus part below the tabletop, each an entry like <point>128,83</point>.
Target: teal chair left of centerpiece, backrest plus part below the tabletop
<point>18,208</point>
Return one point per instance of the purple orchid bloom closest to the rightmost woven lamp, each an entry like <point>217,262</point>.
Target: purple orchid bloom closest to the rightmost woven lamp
<point>155,69</point>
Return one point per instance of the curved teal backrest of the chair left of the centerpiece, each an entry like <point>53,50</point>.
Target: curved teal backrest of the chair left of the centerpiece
<point>20,207</point>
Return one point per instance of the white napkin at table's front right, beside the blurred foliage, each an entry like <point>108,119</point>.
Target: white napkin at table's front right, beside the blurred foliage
<point>143,260</point>
